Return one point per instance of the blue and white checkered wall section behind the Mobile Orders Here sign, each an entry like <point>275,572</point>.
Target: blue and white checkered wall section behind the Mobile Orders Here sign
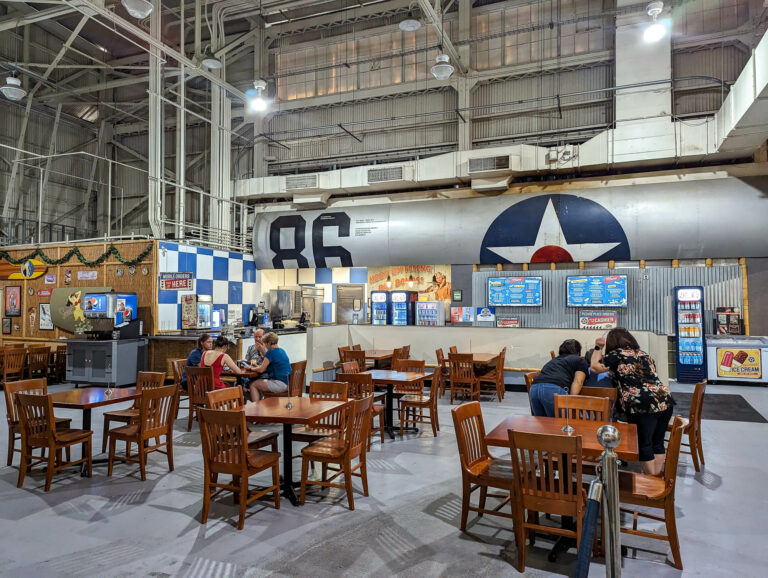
<point>230,278</point>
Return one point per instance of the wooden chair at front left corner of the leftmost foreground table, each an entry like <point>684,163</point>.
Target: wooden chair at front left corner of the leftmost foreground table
<point>38,430</point>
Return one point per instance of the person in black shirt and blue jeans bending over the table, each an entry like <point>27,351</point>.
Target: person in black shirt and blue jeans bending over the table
<point>565,372</point>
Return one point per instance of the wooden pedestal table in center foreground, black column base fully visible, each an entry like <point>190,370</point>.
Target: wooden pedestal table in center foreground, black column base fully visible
<point>304,411</point>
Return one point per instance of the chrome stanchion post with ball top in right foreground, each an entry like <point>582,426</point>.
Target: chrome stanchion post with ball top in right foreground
<point>609,437</point>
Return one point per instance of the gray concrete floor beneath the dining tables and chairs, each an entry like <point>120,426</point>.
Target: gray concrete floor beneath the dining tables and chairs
<point>407,527</point>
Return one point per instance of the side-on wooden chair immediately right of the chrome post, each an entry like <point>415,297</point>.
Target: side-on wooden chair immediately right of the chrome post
<point>649,491</point>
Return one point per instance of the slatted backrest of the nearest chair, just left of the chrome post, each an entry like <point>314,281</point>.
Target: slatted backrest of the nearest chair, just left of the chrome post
<point>544,484</point>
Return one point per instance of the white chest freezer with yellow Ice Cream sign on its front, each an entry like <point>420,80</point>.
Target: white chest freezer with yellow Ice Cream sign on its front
<point>741,358</point>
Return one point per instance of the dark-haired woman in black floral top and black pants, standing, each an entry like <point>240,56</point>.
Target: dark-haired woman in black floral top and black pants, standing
<point>646,400</point>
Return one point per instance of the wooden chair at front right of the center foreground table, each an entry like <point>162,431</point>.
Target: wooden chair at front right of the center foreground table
<point>341,451</point>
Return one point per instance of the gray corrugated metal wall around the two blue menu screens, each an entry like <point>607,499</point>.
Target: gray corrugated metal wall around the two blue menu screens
<point>649,295</point>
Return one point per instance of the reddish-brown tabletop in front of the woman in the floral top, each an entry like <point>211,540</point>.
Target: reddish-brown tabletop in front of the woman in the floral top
<point>590,447</point>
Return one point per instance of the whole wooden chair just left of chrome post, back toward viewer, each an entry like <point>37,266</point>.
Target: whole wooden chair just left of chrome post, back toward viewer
<point>543,485</point>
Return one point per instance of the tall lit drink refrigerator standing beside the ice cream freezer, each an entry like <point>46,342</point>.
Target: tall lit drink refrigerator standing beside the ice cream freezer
<point>691,354</point>
